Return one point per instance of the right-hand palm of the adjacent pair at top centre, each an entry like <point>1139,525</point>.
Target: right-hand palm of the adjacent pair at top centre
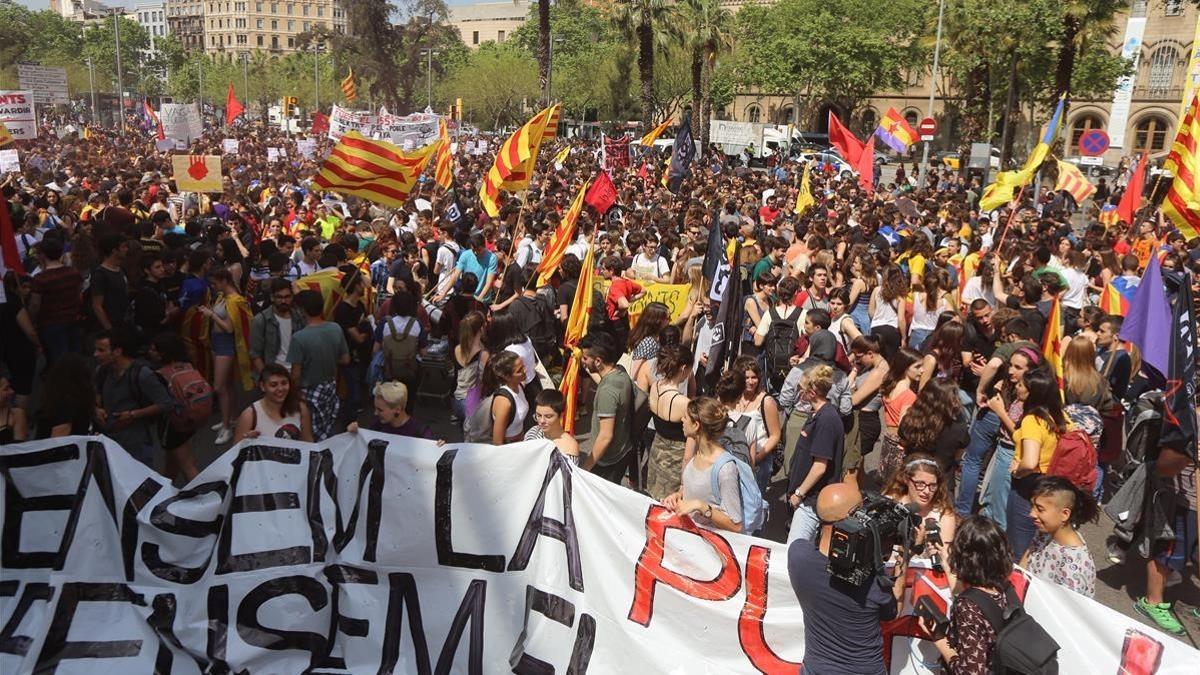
<point>711,33</point>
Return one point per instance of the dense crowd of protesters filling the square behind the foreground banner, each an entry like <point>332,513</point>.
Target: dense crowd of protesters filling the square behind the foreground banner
<point>903,327</point>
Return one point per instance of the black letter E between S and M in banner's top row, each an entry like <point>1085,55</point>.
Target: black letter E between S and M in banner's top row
<point>259,504</point>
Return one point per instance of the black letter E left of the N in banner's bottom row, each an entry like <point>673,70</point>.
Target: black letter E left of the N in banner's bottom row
<point>57,649</point>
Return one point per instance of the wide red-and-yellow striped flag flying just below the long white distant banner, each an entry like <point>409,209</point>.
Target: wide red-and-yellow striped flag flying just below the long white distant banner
<point>374,170</point>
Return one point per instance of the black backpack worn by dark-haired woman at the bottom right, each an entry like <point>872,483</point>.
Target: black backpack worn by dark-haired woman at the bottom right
<point>1023,646</point>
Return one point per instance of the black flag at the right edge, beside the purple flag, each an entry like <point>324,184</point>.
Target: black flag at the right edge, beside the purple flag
<point>1179,395</point>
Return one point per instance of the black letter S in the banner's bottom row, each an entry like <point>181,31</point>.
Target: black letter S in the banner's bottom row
<point>255,634</point>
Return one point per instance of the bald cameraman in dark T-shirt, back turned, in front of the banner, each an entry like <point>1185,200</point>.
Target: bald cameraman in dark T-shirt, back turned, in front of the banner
<point>842,622</point>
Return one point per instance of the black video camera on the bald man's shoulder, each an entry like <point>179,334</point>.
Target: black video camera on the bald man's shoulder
<point>863,541</point>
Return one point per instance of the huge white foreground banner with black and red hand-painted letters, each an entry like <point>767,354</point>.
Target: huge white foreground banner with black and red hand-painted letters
<point>382,554</point>
